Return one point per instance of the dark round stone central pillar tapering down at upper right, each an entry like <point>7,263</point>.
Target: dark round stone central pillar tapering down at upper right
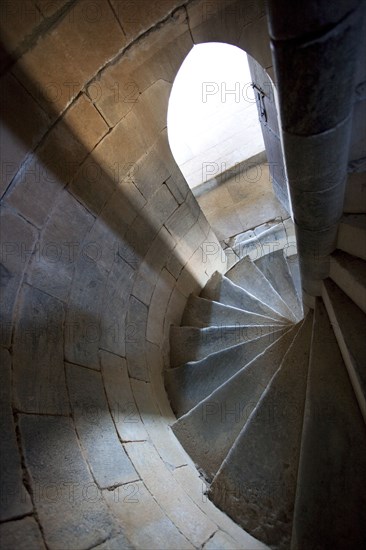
<point>315,50</point>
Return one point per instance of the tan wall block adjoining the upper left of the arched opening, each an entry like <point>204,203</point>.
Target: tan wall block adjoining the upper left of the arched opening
<point>158,55</point>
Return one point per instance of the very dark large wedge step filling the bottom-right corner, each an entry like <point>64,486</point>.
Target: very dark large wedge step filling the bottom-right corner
<point>330,509</point>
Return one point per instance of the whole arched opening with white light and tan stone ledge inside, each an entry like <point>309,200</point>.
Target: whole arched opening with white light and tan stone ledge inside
<point>218,132</point>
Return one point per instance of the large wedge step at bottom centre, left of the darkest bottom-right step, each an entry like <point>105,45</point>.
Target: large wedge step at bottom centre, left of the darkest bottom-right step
<point>256,483</point>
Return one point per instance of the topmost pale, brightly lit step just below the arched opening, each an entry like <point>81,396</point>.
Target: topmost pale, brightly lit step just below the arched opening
<point>265,240</point>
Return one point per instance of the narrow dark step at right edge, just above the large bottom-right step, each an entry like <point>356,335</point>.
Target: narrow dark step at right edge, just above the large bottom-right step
<point>349,325</point>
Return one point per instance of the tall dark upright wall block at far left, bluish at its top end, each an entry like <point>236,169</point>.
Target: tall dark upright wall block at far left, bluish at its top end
<point>38,354</point>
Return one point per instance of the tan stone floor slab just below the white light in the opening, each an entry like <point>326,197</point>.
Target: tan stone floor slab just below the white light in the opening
<point>241,202</point>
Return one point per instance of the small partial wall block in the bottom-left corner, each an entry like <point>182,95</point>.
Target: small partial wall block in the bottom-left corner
<point>23,534</point>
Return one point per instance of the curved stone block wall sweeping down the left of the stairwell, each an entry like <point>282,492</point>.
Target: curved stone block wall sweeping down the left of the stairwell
<point>102,242</point>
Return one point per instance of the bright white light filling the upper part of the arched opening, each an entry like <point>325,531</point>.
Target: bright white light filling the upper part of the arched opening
<point>212,115</point>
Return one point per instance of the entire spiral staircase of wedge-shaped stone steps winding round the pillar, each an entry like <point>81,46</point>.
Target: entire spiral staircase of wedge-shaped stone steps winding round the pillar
<point>270,400</point>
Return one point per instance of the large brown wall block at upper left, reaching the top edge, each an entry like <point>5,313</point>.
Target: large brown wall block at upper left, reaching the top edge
<point>50,70</point>
